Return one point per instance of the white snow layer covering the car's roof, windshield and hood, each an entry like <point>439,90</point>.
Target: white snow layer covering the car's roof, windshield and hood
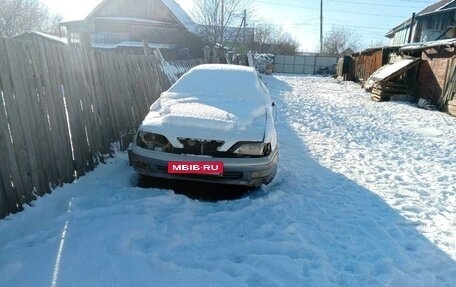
<point>215,98</point>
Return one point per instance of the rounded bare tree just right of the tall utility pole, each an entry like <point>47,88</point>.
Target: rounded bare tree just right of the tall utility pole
<point>339,39</point>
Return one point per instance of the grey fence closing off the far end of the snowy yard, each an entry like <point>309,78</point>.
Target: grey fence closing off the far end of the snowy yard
<point>303,64</point>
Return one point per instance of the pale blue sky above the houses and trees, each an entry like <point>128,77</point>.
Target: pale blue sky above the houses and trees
<point>368,18</point>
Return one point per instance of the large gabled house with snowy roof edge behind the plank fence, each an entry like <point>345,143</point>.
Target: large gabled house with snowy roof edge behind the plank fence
<point>131,26</point>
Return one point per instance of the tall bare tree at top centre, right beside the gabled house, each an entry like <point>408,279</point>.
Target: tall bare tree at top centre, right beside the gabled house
<point>215,25</point>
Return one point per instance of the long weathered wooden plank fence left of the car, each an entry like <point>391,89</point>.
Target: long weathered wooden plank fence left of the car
<point>61,108</point>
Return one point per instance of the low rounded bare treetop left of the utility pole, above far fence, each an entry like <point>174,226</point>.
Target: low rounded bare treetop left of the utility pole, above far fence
<point>270,38</point>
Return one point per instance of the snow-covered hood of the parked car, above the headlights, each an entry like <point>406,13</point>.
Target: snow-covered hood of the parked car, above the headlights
<point>207,117</point>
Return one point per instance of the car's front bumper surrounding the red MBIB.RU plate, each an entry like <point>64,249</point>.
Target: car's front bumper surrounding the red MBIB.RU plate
<point>237,171</point>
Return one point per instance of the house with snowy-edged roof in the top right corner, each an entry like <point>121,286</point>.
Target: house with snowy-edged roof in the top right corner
<point>435,22</point>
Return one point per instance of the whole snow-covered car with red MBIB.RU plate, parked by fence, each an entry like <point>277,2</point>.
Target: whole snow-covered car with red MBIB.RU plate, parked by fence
<point>214,113</point>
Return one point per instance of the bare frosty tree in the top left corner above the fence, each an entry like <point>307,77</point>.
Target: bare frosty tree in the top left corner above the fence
<point>18,16</point>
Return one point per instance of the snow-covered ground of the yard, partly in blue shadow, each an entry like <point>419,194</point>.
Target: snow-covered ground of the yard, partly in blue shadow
<point>365,196</point>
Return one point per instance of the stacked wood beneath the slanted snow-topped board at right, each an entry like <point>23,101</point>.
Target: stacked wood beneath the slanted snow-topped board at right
<point>392,90</point>
